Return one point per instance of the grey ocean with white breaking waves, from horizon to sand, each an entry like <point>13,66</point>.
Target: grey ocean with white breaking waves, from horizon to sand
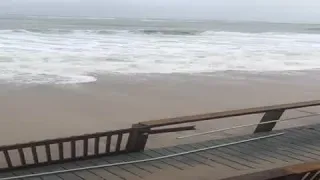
<point>65,50</point>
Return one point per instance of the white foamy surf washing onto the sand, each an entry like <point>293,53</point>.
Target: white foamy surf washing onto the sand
<point>72,57</point>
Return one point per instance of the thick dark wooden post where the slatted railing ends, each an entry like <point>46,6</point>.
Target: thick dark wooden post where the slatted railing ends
<point>138,138</point>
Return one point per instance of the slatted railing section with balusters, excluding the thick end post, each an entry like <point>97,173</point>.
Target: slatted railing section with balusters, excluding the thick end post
<point>64,149</point>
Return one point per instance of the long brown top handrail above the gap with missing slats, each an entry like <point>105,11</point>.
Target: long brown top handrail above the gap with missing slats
<point>225,114</point>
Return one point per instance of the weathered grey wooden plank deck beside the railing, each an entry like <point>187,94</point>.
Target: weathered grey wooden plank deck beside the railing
<point>296,145</point>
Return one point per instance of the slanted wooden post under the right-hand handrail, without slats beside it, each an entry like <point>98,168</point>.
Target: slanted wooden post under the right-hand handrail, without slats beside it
<point>269,116</point>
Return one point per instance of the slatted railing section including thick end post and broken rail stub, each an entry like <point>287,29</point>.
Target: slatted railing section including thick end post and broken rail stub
<point>77,147</point>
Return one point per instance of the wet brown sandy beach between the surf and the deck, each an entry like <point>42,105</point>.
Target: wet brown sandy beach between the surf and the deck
<point>36,112</point>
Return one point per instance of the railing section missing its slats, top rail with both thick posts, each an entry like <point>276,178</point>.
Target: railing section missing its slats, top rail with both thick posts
<point>271,114</point>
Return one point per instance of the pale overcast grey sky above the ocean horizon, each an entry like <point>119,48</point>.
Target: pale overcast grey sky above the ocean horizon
<point>263,10</point>
